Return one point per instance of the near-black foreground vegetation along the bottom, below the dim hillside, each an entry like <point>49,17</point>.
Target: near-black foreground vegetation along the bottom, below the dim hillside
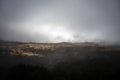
<point>85,70</point>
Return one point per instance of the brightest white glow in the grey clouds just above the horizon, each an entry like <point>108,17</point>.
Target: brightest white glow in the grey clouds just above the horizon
<point>55,33</point>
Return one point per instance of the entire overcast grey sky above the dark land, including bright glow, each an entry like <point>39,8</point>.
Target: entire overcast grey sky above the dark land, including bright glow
<point>60,20</point>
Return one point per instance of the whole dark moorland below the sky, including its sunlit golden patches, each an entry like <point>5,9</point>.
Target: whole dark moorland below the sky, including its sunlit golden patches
<point>59,62</point>
